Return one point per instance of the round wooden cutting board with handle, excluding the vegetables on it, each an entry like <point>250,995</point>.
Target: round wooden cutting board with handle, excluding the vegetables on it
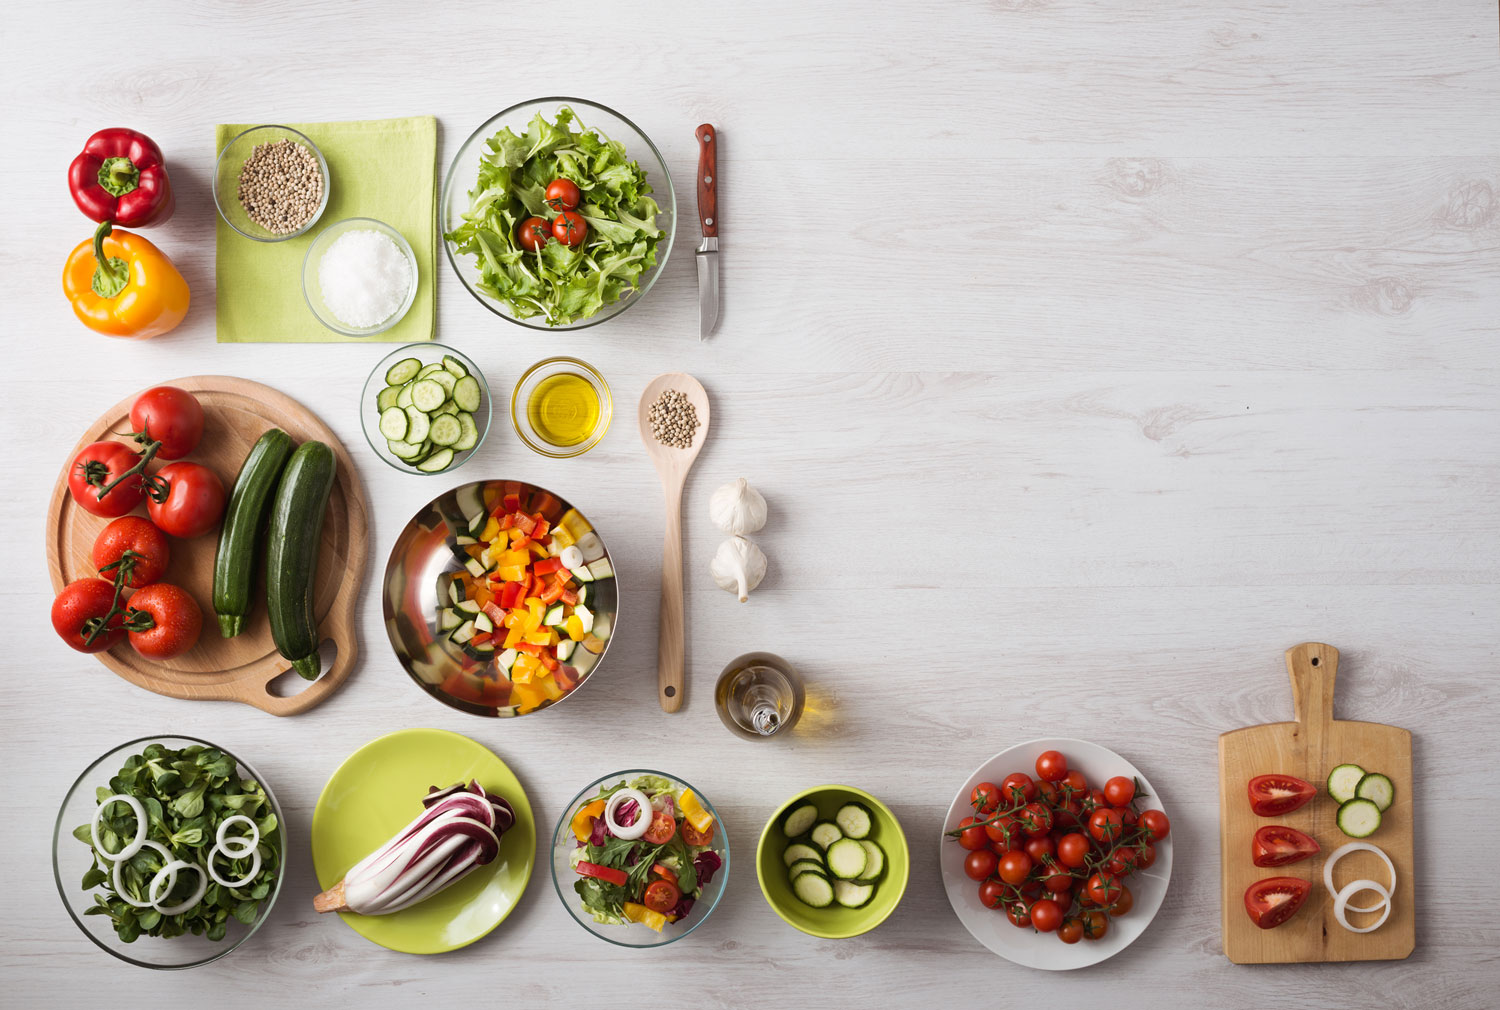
<point>238,412</point>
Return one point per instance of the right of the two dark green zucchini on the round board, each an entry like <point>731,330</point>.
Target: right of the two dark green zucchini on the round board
<point>292,555</point>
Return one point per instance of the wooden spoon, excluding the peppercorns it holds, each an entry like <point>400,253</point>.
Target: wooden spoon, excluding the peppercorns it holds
<point>673,466</point>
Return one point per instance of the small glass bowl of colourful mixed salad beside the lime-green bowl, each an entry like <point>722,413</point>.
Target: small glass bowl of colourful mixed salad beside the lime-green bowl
<point>640,858</point>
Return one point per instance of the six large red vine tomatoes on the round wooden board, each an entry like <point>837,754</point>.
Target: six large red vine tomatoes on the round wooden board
<point>131,555</point>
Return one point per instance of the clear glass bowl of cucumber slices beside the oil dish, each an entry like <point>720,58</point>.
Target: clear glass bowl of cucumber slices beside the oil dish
<point>425,409</point>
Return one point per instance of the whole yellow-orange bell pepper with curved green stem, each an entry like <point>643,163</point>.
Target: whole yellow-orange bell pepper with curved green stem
<point>122,286</point>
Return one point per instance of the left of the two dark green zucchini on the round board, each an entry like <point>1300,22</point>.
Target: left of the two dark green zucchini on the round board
<point>244,520</point>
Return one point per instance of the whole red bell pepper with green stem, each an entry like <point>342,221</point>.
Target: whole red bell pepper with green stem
<point>122,178</point>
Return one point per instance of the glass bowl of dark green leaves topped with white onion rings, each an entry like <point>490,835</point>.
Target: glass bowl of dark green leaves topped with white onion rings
<point>169,852</point>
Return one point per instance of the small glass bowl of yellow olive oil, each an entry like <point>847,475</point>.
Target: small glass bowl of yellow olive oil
<point>562,407</point>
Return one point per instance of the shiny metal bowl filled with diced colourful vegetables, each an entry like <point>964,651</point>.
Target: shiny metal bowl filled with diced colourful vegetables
<point>500,600</point>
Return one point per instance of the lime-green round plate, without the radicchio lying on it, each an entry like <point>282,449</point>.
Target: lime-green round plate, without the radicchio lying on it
<point>377,792</point>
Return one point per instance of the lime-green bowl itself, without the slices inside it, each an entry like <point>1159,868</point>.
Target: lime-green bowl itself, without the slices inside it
<point>835,922</point>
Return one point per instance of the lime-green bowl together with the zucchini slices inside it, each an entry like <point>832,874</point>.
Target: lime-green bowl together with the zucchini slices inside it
<point>833,862</point>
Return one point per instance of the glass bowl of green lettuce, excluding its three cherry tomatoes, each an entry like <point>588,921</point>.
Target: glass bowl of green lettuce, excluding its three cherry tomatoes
<point>499,181</point>
